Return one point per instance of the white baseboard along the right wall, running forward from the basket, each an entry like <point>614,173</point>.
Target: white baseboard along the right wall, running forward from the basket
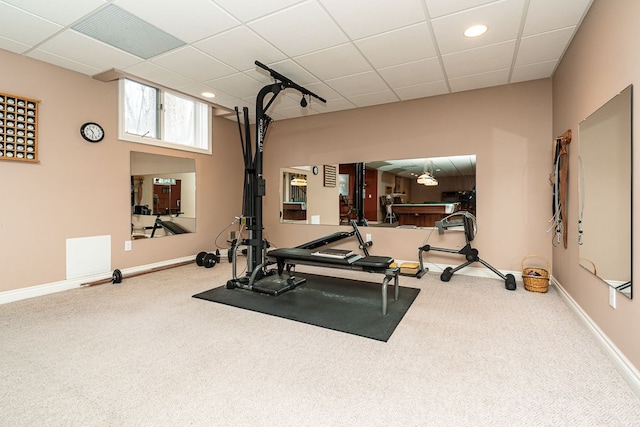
<point>621,363</point>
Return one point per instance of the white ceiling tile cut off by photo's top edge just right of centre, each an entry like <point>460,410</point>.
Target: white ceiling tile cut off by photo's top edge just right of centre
<point>362,18</point>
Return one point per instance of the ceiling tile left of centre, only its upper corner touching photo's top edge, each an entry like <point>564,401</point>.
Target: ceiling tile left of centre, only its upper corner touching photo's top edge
<point>299,29</point>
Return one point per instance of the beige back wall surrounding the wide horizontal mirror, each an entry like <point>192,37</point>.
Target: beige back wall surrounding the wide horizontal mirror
<point>508,128</point>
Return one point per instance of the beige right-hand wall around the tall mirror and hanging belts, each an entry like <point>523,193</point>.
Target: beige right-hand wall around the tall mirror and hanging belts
<point>601,61</point>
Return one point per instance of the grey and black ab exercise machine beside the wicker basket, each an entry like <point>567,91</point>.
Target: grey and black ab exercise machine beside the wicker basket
<point>468,222</point>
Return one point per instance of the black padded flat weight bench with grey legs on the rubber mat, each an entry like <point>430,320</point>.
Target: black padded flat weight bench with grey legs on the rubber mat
<point>289,257</point>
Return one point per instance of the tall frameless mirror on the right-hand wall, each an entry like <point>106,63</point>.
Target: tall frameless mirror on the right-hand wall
<point>605,192</point>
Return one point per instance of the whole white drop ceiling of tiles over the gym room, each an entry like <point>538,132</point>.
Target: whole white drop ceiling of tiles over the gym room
<point>353,53</point>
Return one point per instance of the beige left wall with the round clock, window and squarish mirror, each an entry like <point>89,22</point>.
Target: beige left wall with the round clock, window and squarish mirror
<point>81,190</point>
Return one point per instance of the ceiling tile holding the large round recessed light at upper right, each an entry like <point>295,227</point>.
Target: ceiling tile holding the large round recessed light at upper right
<point>498,17</point>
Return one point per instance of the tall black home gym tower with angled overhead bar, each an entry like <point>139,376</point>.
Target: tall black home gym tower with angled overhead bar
<point>255,188</point>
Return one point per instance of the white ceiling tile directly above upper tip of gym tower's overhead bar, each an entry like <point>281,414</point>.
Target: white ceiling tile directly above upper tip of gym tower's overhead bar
<point>248,47</point>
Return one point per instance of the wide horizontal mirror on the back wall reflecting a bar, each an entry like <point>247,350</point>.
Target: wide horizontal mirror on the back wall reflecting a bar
<point>393,193</point>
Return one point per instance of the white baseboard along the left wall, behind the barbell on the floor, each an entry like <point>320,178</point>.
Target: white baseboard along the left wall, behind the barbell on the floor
<point>64,285</point>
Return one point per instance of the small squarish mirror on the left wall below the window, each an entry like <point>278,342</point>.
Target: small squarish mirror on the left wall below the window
<point>163,195</point>
